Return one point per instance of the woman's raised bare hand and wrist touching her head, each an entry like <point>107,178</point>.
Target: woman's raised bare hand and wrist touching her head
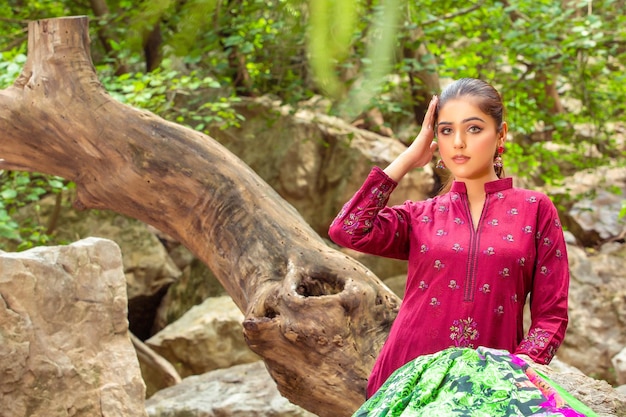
<point>420,152</point>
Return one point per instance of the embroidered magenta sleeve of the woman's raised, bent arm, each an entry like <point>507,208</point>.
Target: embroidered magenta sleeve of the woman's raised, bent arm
<point>367,225</point>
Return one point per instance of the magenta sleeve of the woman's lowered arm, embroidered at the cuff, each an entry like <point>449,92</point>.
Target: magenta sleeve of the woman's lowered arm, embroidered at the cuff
<point>550,286</point>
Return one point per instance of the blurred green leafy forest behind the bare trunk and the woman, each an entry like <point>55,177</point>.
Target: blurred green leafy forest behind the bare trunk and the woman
<point>560,65</point>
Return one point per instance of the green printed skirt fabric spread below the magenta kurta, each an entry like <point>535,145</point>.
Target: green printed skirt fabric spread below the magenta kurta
<point>469,382</point>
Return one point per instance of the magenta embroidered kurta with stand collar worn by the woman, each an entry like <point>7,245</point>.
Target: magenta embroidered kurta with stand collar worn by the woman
<point>466,286</point>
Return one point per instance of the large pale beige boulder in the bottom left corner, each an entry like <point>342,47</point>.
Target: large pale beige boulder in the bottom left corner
<point>64,343</point>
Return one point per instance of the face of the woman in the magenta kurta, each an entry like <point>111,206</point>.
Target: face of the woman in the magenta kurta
<point>468,139</point>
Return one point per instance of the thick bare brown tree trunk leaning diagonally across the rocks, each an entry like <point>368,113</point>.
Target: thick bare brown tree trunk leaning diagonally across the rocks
<point>317,317</point>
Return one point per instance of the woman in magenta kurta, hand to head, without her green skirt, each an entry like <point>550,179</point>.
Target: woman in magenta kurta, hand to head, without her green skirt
<point>475,252</point>
